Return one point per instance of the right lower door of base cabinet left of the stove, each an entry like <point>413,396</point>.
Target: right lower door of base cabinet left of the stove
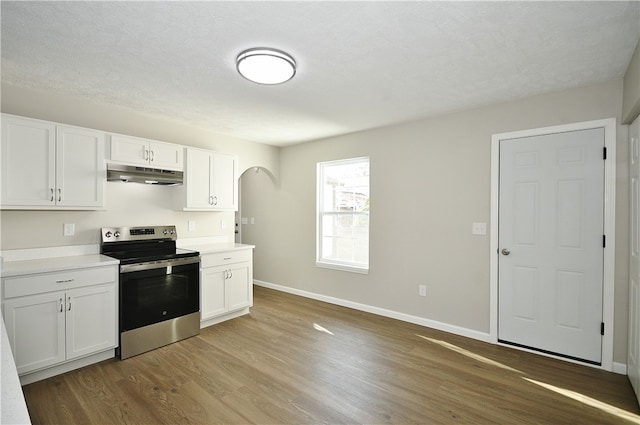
<point>91,320</point>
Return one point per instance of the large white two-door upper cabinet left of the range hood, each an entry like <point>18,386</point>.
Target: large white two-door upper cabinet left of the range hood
<point>49,166</point>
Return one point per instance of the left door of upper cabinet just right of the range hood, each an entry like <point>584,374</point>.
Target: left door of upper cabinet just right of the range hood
<point>197,180</point>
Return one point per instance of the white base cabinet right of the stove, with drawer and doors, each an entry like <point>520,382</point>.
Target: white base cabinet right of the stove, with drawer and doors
<point>226,285</point>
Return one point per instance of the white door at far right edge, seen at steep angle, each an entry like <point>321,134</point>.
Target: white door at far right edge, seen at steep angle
<point>633,356</point>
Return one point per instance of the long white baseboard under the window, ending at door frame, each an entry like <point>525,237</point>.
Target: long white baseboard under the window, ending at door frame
<point>457,330</point>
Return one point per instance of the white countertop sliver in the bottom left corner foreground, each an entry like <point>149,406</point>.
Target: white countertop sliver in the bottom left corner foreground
<point>13,409</point>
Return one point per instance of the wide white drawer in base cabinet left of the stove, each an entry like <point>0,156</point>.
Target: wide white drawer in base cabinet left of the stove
<point>58,281</point>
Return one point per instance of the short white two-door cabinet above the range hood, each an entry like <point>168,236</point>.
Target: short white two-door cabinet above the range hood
<point>134,151</point>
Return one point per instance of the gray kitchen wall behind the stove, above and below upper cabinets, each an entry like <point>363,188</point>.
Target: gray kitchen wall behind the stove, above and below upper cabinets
<point>126,204</point>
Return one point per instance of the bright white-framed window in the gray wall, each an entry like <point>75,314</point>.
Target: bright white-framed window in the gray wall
<point>343,215</point>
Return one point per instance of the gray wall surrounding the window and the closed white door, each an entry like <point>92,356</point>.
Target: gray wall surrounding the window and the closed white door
<point>430,180</point>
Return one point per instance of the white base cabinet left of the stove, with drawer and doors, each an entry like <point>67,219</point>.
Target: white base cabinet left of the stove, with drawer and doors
<point>53,318</point>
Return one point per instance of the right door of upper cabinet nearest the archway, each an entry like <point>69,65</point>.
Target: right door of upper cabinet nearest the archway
<point>225,182</point>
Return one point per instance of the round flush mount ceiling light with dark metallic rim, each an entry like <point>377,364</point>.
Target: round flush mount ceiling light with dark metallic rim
<point>266,66</point>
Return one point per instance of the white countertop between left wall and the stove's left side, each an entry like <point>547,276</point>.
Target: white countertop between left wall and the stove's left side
<point>52,264</point>
